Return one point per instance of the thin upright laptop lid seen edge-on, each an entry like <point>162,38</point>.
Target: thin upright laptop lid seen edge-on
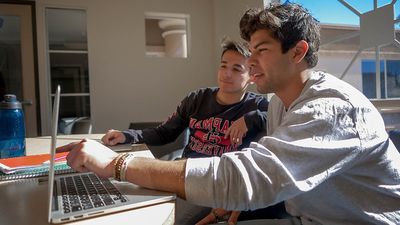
<point>54,123</point>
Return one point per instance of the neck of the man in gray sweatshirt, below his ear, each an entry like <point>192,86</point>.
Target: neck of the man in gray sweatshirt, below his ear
<point>294,88</point>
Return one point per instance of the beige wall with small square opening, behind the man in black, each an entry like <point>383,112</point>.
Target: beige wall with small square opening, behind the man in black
<point>126,85</point>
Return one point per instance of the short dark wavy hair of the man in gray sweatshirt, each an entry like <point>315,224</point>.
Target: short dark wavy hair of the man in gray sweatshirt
<point>288,23</point>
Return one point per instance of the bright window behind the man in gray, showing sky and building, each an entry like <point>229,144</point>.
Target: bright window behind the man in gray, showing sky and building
<point>357,35</point>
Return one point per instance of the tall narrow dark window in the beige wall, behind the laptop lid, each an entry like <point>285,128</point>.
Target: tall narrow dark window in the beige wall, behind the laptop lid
<point>68,65</point>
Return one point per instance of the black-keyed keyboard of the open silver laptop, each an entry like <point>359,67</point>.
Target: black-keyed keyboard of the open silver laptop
<point>87,191</point>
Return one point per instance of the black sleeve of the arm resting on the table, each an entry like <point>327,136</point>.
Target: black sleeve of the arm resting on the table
<point>165,133</point>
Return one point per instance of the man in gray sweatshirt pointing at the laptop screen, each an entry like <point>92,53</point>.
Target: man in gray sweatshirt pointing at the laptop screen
<point>326,153</point>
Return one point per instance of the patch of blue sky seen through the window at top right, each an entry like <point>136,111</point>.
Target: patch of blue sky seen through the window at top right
<point>334,12</point>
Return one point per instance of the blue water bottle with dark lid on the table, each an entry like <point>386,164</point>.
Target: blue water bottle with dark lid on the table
<point>12,128</point>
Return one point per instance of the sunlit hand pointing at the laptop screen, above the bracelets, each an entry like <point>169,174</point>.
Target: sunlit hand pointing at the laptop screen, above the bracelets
<point>89,155</point>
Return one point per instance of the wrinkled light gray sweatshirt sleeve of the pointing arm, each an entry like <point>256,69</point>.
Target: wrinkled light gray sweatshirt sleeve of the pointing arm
<point>305,151</point>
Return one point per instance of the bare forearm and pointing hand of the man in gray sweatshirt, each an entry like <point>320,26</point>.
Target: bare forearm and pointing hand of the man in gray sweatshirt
<point>89,155</point>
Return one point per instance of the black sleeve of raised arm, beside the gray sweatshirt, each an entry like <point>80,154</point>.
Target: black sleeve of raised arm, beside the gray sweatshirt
<point>257,119</point>
